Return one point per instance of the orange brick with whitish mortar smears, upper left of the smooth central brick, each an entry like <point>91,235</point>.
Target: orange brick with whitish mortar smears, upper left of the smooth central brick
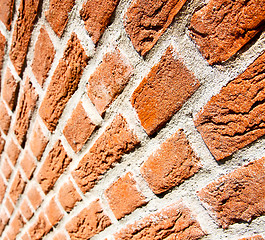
<point>109,80</point>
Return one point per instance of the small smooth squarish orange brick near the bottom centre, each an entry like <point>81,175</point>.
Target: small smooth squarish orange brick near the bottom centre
<point>124,197</point>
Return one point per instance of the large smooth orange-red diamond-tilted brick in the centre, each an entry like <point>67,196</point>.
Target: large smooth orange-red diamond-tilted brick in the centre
<point>163,91</point>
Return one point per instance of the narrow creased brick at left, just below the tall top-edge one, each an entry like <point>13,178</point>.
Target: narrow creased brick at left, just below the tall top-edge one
<point>26,106</point>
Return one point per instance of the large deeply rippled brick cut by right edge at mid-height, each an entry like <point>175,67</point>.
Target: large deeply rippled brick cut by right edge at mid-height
<point>234,118</point>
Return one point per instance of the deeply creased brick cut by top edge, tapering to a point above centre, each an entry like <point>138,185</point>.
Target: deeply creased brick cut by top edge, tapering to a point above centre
<point>146,21</point>
